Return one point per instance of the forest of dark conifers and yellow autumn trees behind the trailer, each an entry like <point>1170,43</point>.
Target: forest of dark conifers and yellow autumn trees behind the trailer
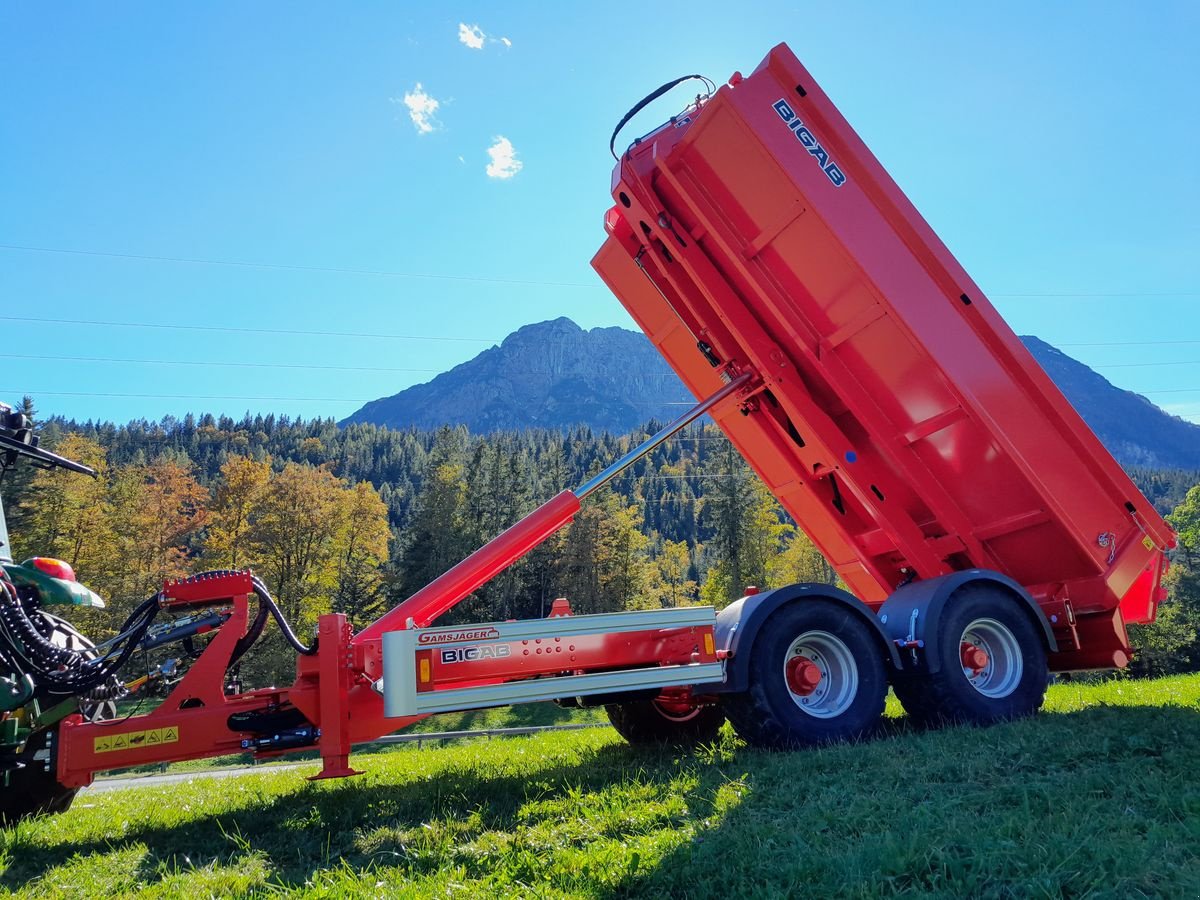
<point>356,519</point>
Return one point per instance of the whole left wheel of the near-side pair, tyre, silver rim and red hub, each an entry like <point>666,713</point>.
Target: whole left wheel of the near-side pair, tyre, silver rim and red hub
<point>817,677</point>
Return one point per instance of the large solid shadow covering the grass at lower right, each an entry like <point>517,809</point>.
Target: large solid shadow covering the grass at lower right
<point>1099,802</point>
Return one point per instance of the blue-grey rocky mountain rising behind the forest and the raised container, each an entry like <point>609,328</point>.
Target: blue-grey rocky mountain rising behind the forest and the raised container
<point>555,374</point>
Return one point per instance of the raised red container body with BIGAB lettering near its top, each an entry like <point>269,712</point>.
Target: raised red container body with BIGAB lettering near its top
<point>899,419</point>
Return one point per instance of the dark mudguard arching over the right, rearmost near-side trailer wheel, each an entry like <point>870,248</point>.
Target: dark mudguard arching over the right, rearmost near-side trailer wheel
<point>913,614</point>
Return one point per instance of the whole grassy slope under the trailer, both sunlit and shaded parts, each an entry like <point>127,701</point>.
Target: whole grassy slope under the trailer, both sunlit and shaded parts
<point>1099,797</point>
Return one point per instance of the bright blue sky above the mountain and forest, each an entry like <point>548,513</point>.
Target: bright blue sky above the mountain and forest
<point>1054,147</point>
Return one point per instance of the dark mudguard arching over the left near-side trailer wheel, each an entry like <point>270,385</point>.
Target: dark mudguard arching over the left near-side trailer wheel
<point>739,625</point>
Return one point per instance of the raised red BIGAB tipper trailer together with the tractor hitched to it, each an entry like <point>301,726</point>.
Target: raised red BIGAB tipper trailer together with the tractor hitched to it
<point>985,533</point>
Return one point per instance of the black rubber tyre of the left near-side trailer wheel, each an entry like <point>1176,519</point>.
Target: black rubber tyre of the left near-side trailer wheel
<point>769,715</point>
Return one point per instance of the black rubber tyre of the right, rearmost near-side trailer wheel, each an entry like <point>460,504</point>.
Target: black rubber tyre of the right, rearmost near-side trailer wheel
<point>951,695</point>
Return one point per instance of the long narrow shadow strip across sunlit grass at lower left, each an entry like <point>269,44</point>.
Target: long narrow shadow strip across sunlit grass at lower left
<point>320,826</point>
